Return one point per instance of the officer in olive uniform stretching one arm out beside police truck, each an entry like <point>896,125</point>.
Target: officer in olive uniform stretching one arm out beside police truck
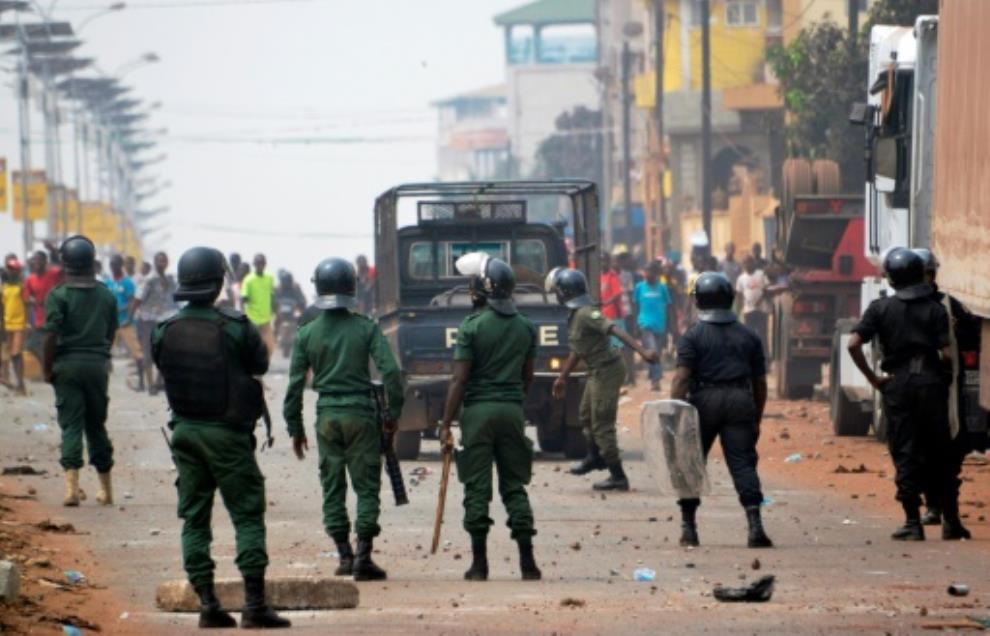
<point>589,335</point>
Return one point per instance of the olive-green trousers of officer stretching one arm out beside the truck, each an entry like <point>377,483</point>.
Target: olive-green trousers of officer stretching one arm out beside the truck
<point>600,407</point>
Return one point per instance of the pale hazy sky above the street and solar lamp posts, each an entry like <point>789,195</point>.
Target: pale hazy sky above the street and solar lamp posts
<point>343,87</point>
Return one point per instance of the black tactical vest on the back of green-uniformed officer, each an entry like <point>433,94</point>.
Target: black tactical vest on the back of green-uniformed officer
<point>201,383</point>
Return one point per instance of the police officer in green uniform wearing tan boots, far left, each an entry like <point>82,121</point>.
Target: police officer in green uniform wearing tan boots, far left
<point>80,324</point>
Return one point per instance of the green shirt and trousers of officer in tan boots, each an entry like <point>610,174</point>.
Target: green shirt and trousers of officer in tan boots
<point>84,320</point>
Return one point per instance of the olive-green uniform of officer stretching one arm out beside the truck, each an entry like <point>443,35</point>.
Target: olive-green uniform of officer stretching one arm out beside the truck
<point>589,340</point>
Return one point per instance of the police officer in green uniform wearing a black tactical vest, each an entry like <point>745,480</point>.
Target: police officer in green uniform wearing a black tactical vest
<point>208,357</point>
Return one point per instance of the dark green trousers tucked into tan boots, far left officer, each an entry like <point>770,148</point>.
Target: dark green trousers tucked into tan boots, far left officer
<point>81,400</point>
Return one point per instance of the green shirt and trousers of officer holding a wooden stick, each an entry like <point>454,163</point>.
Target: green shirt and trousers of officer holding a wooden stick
<point>492,423</point>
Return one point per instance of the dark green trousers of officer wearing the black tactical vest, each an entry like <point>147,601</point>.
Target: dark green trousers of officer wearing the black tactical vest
<point>209,457</point>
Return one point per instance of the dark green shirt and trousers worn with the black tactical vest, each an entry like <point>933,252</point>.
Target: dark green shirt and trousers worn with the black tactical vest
<point>217,455</point>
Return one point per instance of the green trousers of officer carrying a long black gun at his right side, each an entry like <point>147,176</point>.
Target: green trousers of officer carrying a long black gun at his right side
<point>349,442</point>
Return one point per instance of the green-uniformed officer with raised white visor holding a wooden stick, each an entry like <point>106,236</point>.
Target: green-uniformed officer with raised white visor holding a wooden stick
<point>493,370</point>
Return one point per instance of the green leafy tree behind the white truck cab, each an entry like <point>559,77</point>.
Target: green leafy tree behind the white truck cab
<point>822,73</point>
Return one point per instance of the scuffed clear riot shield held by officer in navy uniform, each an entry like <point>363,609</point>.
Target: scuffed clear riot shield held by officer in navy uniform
<point>672,446</point>
